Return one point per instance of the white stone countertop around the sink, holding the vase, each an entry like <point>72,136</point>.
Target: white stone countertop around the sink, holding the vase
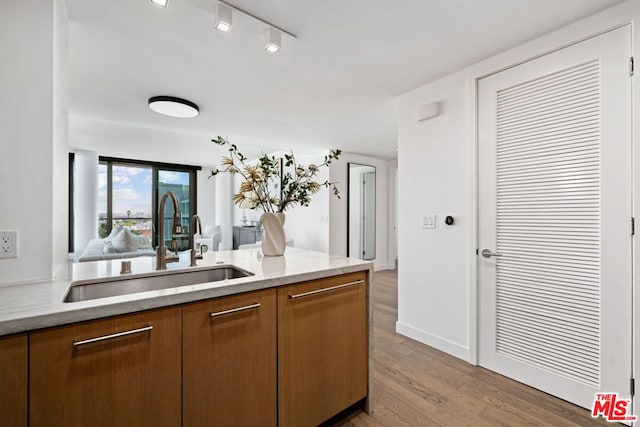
<point>29,306</point>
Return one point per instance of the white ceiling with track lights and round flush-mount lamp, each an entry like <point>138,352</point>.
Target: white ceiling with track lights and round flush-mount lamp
<point>333,88</point>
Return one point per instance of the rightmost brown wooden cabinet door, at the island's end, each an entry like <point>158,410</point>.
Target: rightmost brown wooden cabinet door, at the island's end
<point>322,348</point>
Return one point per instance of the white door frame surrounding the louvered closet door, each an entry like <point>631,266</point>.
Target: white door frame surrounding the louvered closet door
<point>588,28</point>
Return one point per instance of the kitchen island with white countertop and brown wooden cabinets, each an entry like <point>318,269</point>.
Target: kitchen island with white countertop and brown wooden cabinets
<point>287,345</point>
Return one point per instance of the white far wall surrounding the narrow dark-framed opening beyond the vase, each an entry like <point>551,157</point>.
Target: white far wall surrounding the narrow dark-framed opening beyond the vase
<point>338,207</point>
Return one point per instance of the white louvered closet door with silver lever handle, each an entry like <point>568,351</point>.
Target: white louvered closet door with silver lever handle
<point>555,205</point>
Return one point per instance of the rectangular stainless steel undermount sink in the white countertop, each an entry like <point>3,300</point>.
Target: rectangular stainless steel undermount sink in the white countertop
<point>131,285</point>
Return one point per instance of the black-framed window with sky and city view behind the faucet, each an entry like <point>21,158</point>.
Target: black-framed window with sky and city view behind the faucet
<point>129,192</point>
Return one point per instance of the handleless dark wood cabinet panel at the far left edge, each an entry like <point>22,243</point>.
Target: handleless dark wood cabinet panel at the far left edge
<point>13,380</point>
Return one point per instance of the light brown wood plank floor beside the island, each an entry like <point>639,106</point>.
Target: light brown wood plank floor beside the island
<point>416,385</point>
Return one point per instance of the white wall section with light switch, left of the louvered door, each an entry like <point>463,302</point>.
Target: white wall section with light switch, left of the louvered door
<point>433,159</point>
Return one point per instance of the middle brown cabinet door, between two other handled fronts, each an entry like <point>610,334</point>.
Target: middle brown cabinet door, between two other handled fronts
<point>229,351</point>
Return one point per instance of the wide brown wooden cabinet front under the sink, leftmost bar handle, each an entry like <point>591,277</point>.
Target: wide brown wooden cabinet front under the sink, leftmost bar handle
<point>128,376</point>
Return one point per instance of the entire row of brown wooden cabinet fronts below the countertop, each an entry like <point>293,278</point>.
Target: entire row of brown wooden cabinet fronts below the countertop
<point>290,356</point>
